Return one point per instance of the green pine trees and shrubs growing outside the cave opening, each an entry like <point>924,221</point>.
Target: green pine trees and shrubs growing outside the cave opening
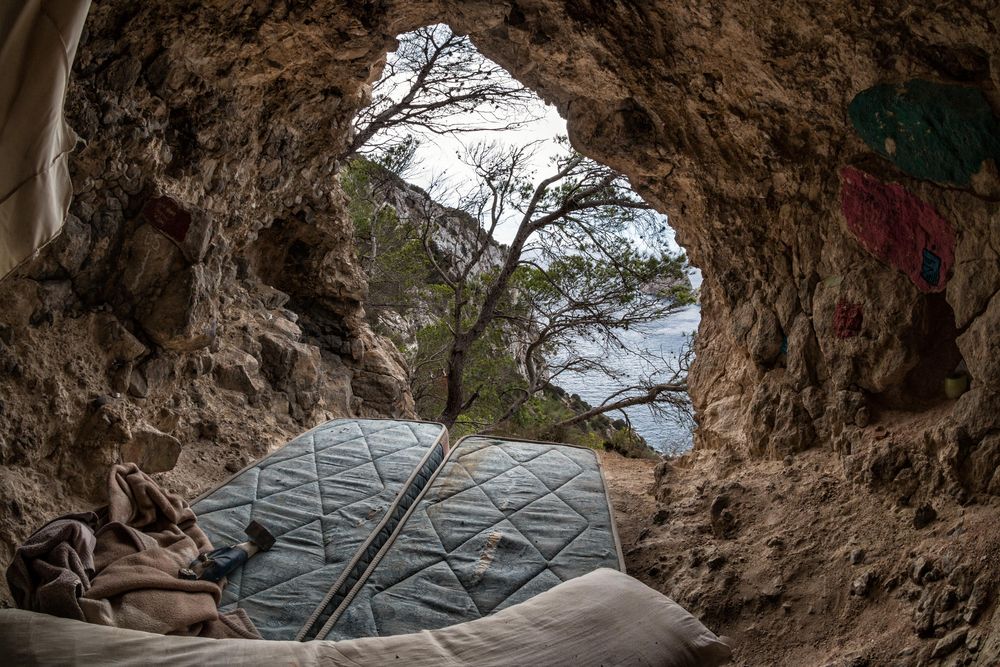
<point>585,276</point>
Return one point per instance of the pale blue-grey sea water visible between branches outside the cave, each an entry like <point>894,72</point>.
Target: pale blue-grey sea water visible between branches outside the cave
<point>665,338</point>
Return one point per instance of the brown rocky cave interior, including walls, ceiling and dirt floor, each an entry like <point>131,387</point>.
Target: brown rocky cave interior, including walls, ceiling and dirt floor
<point>846,274</point>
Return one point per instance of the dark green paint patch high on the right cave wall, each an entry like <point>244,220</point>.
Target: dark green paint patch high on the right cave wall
<point>932,131</point>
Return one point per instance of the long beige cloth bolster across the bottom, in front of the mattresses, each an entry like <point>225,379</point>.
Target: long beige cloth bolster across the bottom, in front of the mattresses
<point>603,618</point>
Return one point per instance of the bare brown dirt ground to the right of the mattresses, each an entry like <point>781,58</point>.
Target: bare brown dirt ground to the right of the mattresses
<point>800,567</point>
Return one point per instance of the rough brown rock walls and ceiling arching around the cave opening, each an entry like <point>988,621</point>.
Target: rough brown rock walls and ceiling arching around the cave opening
<point>732,117</point>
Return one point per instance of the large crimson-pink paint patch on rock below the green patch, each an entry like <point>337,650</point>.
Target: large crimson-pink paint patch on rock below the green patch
<point>899,229</point>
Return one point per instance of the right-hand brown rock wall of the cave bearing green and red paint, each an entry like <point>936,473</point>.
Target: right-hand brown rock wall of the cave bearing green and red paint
<point>832,168</point>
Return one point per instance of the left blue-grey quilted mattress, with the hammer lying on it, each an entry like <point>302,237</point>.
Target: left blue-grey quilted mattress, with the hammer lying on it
<point>327,497</point>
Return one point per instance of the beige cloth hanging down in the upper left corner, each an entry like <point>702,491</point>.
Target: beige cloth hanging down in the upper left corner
<point>38,40</point>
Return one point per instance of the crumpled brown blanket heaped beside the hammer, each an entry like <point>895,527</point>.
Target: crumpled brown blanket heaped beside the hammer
<point>125,573</point>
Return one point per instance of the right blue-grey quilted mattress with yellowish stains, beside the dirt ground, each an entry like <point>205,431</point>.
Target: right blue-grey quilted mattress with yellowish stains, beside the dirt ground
<point>500,522</point>
